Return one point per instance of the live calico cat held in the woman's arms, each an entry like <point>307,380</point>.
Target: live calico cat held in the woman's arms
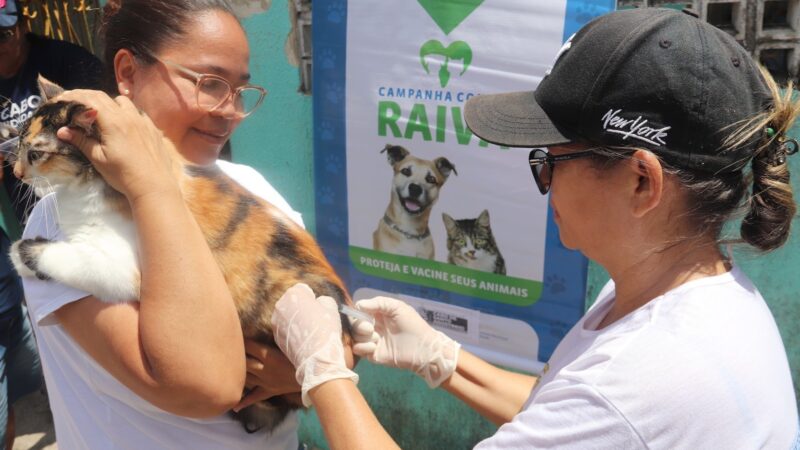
<point>260,250</point>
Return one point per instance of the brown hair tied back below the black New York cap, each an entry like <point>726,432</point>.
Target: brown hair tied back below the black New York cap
<point>713,198</point>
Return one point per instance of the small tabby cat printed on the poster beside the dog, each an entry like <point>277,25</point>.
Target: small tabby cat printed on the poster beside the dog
<point>470,243</point>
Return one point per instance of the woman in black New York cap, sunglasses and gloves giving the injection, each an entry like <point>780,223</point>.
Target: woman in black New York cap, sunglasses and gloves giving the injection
<point>661,127</point>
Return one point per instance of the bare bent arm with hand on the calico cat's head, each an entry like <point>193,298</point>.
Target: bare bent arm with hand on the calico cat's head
<point>181,346</point>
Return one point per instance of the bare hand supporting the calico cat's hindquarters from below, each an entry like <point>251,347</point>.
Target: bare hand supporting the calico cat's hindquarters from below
<point>269,374</point>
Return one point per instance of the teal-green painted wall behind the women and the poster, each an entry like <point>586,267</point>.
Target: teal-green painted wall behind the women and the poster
<point>277,141</point>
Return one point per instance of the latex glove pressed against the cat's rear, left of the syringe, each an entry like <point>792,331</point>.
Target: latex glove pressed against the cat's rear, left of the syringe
<point>309,332</point>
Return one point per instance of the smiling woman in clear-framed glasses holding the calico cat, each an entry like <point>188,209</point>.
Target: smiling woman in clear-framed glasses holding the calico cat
<point>161,372</point>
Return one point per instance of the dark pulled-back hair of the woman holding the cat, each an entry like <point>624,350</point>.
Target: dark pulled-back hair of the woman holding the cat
<point>145,26</point>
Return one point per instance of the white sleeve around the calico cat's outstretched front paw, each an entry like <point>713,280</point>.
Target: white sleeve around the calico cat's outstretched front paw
<point>45,297</point>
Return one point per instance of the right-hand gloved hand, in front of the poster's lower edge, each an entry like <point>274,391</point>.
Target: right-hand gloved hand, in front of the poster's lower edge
<point>401,338</point>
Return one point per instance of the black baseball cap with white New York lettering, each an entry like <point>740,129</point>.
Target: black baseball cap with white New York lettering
<point>653,78</point>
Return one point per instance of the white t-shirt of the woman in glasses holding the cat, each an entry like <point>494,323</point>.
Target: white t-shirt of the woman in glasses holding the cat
<point>91,409</point>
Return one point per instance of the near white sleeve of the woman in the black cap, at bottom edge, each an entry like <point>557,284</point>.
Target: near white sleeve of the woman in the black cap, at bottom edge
<point>566,414</point>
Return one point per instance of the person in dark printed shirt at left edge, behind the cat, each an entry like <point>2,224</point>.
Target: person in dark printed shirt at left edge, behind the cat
<point>23,57</point>
